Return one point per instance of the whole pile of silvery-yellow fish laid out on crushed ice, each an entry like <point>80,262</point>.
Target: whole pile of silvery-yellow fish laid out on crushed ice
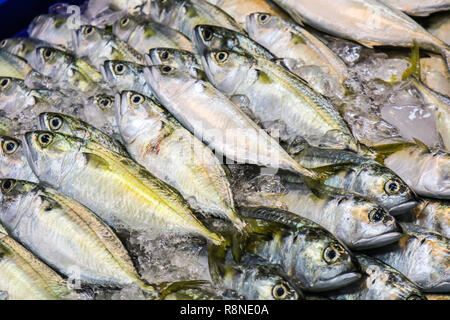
<point>124,119</point>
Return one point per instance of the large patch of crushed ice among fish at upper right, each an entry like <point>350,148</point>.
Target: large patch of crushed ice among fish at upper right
<point>381,108</point>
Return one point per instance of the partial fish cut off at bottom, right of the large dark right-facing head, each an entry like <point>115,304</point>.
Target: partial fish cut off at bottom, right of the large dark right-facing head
<point>382,282</point>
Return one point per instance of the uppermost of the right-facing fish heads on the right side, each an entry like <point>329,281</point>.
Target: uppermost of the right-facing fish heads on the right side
<point>385,187</point>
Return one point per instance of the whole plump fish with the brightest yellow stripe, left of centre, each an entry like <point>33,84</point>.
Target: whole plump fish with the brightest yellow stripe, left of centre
<point>116,188</point>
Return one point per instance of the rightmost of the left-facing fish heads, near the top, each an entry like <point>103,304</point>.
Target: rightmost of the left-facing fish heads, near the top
<point>262,25</point>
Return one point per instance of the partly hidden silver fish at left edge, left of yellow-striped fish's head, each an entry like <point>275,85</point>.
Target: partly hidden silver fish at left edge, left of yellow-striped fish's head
<point>13,160</point>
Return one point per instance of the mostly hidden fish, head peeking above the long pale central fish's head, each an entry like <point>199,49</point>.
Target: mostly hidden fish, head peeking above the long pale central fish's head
<point>176,58</point>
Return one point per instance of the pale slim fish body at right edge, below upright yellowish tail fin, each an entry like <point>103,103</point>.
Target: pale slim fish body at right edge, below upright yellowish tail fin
<point>442,106</point>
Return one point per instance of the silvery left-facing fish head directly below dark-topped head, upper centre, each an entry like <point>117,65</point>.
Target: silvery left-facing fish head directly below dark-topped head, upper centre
<point>228,70</point>
